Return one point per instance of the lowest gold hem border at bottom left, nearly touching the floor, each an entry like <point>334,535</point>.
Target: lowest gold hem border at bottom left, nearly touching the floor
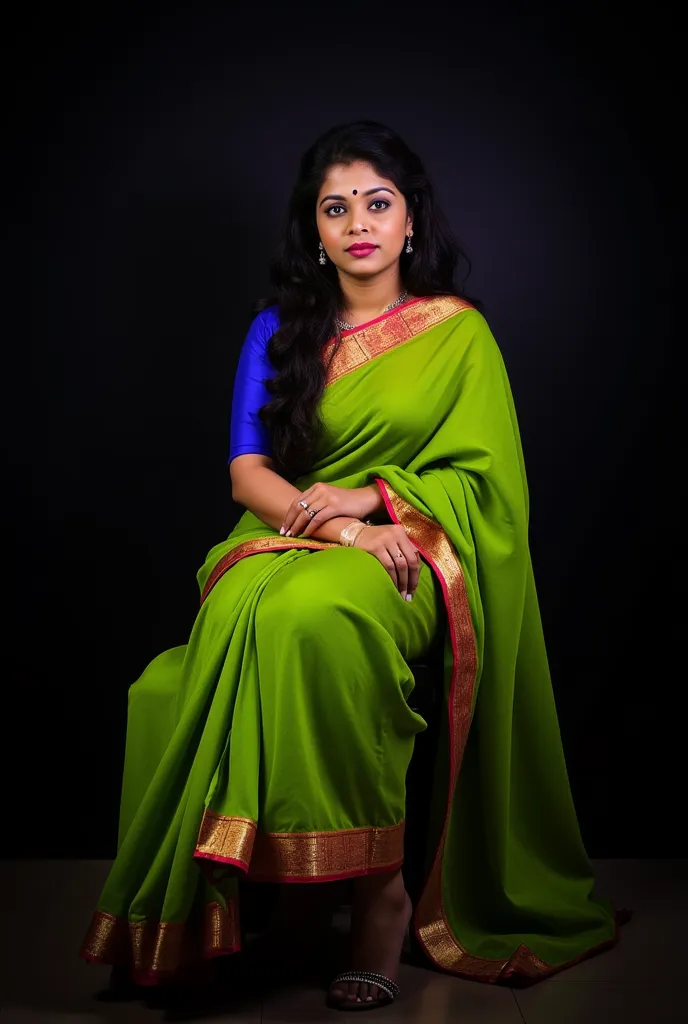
<point>159,951</point>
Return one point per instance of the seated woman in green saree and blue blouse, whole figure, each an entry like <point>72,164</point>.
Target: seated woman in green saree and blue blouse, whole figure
<point>375,448</point>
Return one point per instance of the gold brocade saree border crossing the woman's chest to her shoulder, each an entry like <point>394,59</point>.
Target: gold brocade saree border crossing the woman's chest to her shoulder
<point>379,336</point>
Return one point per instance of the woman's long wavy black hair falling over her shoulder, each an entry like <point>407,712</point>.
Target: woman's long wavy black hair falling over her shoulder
<point>309,295</point>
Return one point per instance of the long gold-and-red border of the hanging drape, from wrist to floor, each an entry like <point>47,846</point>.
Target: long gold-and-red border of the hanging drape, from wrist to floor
<point>432,925</point>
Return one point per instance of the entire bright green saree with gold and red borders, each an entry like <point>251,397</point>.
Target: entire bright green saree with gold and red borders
<point>276,744</point>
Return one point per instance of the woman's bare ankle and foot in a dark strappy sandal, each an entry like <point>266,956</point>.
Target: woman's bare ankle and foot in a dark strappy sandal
<point>382,911</point>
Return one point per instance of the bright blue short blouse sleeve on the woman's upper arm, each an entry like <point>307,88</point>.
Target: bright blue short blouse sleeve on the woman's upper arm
<point>248,435</point>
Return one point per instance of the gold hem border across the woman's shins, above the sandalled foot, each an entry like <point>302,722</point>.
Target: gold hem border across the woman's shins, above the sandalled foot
<point>312,857</point>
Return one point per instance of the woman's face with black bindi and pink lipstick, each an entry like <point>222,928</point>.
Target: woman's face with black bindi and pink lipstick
<point>358,208</point>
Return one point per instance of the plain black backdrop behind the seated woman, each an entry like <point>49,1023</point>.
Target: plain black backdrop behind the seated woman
<point>155,153</point>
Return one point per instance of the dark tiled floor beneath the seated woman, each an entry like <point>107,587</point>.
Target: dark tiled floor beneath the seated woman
<point>49,904</point>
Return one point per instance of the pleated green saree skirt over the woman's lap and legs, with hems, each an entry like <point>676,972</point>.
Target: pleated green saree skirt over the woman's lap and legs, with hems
<point>261,748</point>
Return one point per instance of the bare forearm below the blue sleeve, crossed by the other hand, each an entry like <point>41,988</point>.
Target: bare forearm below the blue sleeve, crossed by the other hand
<point>260,489</point>
